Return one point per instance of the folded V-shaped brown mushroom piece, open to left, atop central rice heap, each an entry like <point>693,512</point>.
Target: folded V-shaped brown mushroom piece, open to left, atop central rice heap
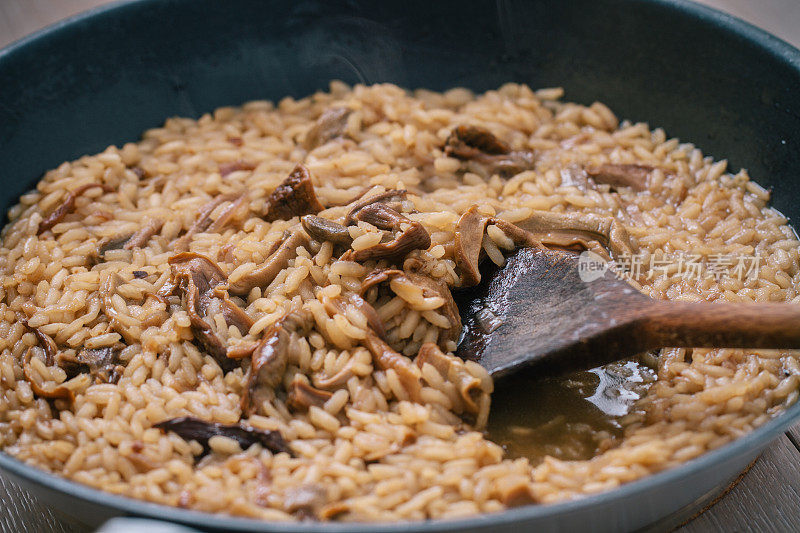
<point>413,237</point>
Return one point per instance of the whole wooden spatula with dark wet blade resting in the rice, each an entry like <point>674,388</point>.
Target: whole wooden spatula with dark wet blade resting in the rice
<point>537,310</point>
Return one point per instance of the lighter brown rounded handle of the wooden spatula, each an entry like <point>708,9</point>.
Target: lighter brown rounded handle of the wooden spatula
<point>722,325</point>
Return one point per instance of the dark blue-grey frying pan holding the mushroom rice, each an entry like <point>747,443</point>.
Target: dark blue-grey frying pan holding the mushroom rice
<point>105,76</point>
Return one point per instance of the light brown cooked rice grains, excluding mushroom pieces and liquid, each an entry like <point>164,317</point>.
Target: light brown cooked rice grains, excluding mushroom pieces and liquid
<point>377,454</point>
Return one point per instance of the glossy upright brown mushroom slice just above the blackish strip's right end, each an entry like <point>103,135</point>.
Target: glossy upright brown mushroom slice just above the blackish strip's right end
<point>271,356</point>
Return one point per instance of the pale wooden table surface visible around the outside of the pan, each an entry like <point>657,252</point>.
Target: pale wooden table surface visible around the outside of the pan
<point>766,498</point>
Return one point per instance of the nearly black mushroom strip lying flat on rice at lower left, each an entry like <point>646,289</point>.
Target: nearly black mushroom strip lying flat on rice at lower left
<point>189,428</point>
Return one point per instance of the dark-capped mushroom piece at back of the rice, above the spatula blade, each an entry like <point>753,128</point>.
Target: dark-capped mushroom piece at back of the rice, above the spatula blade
<point>473,143</point>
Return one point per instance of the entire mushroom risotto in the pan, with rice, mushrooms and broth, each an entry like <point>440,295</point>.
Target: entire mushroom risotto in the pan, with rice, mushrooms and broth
<point>252,313</point>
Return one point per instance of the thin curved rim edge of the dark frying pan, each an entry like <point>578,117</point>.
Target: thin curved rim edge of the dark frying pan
<point>753,441</point>
